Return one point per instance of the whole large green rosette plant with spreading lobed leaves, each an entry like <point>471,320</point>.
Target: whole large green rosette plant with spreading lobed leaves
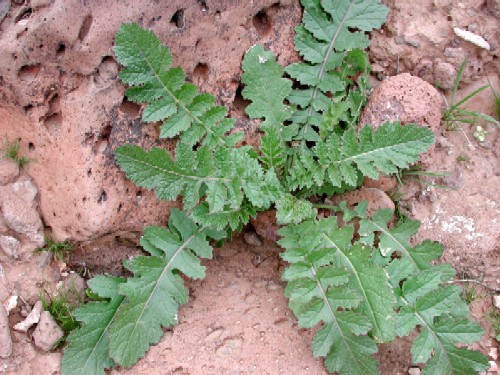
<point>365,291</point>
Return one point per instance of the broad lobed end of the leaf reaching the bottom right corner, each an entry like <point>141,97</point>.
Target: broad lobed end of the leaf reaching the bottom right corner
<point>443,317</point>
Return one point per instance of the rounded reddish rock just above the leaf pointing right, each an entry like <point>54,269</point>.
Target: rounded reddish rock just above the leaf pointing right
<point>404,98</point>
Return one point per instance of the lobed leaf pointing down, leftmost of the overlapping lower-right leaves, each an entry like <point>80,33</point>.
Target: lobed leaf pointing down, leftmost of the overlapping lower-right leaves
<point>321,289</point>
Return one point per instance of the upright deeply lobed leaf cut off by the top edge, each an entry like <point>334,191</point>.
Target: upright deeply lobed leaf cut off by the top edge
<point>329,30</point>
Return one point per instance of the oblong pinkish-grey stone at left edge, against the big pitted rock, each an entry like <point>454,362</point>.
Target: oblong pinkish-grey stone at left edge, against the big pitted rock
<point>21,216</point>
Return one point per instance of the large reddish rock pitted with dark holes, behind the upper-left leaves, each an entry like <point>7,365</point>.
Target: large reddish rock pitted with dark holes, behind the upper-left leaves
<point>61,96</point>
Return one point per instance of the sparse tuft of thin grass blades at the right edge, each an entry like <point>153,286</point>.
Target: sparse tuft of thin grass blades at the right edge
<point>456,114</point>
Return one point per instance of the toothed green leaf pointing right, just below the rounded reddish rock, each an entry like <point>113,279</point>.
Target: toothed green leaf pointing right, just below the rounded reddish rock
<point>338,159</point>
